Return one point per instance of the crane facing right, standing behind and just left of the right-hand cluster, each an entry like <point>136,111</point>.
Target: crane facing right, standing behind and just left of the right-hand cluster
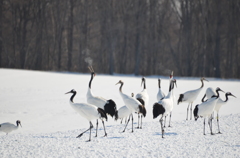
<point>190,97</point>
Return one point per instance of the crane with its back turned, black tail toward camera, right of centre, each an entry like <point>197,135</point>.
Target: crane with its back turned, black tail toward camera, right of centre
<point>164,106</point>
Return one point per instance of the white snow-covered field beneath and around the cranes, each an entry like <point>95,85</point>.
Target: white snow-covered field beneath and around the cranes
<point>50,125</point>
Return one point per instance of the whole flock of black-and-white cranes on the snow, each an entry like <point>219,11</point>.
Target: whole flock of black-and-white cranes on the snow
<point>100,108</point>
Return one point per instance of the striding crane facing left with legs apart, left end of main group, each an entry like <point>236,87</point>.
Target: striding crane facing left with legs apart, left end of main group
<point>88,111</point>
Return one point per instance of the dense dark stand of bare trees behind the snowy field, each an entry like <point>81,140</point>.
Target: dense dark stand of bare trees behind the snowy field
<point>141,37</point>
